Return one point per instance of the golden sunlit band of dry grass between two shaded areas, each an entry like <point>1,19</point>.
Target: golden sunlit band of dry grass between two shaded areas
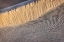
<point>27,13</point>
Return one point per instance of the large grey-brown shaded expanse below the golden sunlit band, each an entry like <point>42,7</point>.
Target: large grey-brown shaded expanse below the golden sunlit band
<point>47,28</point>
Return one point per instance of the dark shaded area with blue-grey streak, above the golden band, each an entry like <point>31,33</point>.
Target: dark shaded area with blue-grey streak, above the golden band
<point>7,5</point>
